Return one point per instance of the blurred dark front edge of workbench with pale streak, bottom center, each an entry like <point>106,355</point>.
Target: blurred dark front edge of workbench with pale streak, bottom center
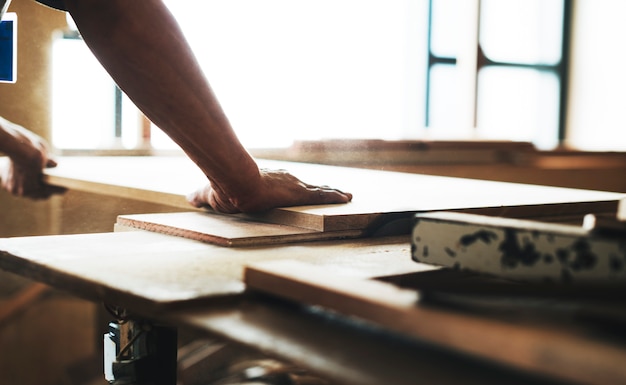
<point>342,353</point>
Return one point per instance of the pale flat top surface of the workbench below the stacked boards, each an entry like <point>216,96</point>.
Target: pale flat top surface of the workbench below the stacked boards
<point>153,272</point>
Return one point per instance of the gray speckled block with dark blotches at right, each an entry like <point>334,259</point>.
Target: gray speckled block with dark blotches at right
<point>518,249</point>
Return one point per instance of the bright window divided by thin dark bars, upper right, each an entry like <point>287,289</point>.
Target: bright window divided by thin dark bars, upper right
<point>495,67</point>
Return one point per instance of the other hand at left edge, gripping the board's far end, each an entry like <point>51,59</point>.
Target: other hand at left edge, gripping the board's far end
<point>28,156</point>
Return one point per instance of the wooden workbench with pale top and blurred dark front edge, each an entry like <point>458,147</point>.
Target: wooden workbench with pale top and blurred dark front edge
<point>194,285</point>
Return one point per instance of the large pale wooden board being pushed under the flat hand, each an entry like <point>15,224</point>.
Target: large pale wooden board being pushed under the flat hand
<point>378,196</point>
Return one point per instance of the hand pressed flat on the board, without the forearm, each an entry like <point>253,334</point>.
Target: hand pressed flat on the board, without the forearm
<point>278,188</point>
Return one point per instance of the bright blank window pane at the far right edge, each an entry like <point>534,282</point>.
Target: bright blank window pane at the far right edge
<point>596,118</point>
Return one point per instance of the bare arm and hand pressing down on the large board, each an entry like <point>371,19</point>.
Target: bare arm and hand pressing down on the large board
<point>142,47</point>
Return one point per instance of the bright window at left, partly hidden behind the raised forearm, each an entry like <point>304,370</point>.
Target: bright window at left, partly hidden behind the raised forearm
<point>86,101</point>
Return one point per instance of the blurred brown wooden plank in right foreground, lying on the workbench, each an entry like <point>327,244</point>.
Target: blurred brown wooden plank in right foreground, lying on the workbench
<point>544,349</point>
